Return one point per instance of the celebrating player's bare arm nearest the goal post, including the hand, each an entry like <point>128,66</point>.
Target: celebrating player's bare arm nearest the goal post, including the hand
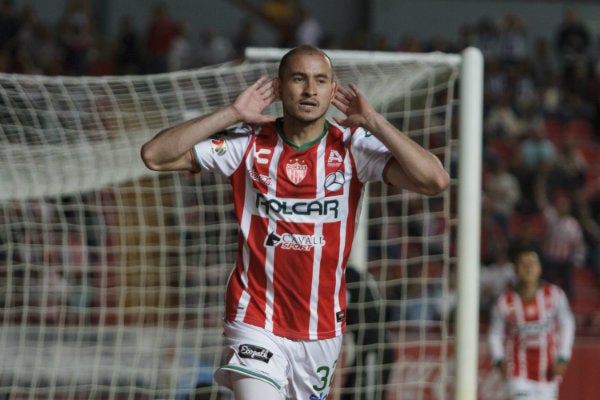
<point>413,167</point>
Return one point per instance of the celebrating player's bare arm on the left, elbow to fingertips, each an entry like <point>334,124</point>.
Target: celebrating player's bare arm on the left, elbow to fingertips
<point>169,149</point>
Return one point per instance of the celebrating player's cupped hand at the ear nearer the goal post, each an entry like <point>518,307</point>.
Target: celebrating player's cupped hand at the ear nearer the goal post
<point>354,105</point>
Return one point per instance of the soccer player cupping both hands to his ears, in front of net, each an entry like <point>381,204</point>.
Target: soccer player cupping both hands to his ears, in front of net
<point>297,183</point>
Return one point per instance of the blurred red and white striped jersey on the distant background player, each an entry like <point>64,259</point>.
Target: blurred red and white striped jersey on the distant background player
<point>531,334</point>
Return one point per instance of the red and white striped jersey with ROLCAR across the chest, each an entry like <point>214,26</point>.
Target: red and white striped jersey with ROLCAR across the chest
<point>297,208</point>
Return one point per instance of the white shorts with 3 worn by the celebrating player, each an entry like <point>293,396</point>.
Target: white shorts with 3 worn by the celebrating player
<point>299,369</point>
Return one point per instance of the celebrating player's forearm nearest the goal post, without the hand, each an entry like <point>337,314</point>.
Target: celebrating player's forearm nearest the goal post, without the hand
<point>417,169</point>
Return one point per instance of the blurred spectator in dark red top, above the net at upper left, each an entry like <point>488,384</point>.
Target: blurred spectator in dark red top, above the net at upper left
<point>161,32</point>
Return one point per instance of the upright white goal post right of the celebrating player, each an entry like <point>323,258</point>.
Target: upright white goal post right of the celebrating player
<point>468,237</point>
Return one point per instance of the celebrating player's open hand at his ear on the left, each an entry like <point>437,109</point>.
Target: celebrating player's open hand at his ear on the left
<point>251,103</point>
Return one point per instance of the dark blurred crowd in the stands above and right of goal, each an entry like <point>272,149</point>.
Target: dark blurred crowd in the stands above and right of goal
<point>541,175</point>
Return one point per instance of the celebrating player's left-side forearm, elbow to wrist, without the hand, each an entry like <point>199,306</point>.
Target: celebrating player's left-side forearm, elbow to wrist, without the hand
<point>169,148</point>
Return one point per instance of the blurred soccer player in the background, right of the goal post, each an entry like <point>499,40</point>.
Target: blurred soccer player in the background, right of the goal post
<point>531,331</point>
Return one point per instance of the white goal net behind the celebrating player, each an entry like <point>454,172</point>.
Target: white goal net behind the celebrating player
<point>112,277</point>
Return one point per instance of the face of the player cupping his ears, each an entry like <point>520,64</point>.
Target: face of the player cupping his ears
<point>307,88</point>
